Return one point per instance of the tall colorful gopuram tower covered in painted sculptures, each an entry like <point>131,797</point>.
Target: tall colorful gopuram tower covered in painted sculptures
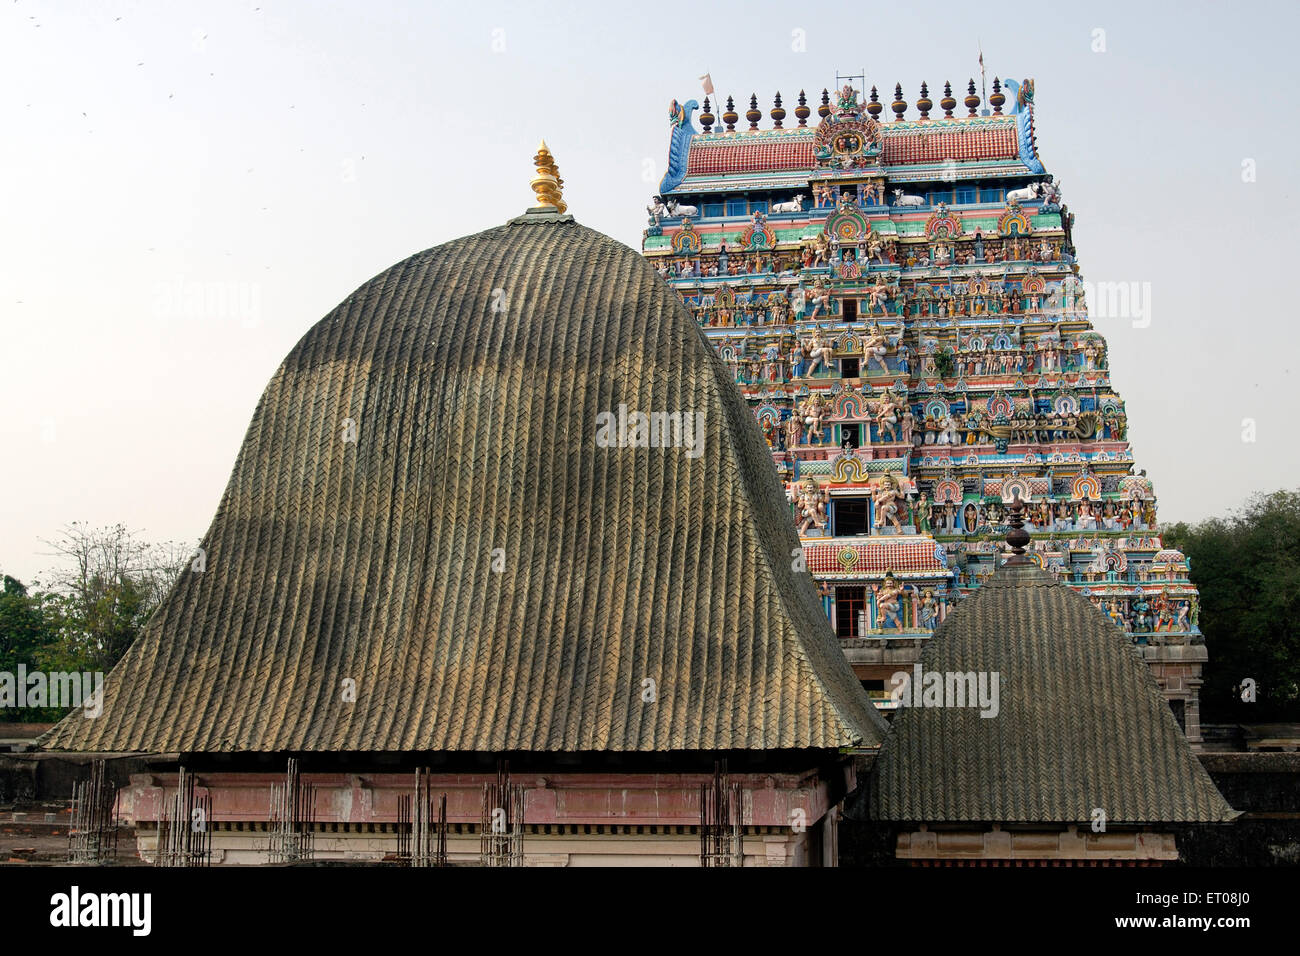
<point>902,306</point>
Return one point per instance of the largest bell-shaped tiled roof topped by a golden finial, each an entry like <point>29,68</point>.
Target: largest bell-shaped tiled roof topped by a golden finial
<point>474,374</point>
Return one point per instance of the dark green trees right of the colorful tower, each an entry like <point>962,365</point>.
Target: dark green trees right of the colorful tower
<point>1247,569</point>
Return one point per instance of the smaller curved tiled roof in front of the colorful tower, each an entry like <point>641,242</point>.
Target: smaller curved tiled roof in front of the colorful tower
<point>1081,724</point>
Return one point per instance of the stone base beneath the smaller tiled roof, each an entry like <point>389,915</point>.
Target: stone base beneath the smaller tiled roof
<point>1028,845</point>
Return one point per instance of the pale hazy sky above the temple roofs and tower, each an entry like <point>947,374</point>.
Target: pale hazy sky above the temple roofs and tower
<point>188,188</point>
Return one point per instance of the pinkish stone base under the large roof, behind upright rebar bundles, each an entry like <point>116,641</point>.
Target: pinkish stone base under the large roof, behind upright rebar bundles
<point>569,817</point>
